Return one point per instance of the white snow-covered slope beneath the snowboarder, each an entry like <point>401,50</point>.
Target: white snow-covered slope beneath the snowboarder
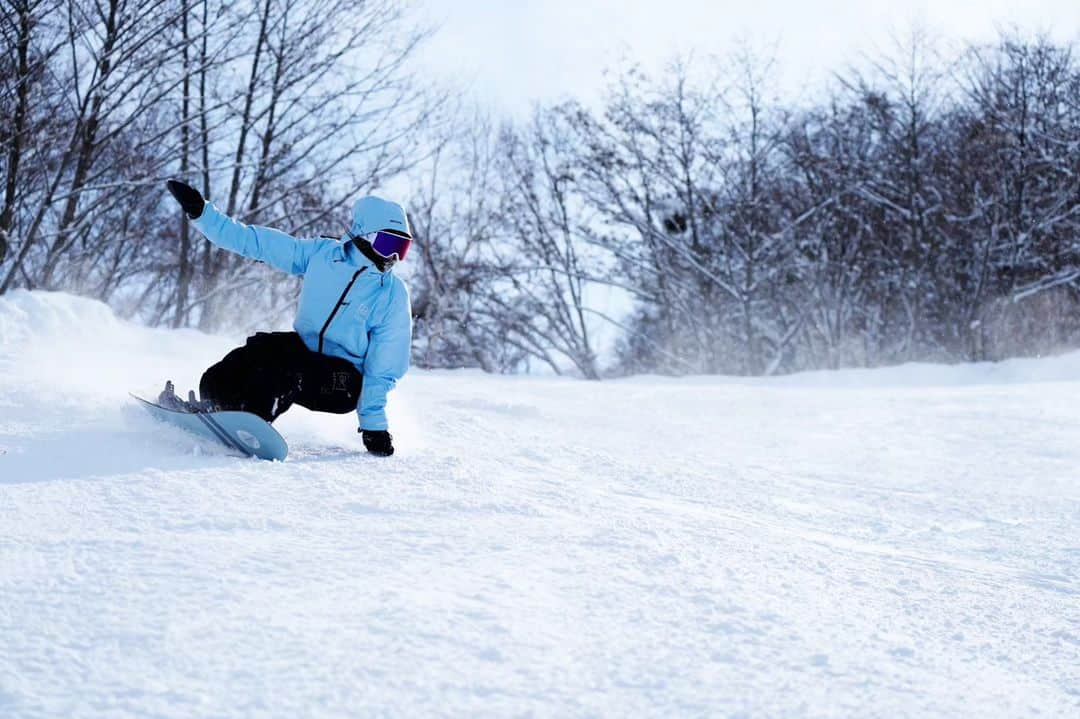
<point>898,542</point>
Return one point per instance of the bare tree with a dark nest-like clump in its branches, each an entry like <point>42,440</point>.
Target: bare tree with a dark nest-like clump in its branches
<point>647,171</point>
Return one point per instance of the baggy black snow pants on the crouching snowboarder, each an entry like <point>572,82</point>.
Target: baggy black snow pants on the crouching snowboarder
<point>274,371</point>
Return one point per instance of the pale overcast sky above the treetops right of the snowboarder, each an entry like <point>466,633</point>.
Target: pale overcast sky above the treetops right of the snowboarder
<point>514,53</point>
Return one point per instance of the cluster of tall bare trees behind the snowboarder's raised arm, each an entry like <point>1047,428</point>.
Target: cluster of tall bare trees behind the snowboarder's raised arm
<point>109,99</point>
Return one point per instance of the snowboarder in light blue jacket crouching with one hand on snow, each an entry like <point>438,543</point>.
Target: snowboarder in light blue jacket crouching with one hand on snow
<point>354,327</point>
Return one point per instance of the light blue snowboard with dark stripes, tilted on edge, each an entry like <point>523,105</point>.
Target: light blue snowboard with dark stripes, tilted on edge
<point>242,432</point>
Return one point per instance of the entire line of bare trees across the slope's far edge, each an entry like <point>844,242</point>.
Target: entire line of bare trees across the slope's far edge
<point>925,208</point>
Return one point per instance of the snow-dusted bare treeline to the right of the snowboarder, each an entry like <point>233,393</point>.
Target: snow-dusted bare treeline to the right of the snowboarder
<point>925,210</point>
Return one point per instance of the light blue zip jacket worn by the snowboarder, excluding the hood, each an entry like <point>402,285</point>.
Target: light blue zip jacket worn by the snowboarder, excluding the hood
<point>348,308</point>
